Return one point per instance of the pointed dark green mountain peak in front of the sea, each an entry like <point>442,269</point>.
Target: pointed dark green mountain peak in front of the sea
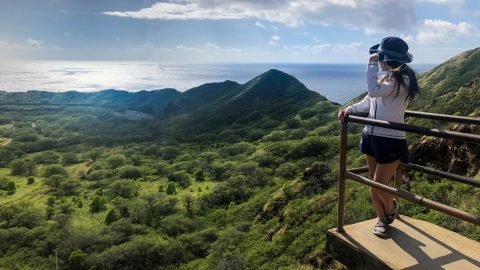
<point>273,95</point>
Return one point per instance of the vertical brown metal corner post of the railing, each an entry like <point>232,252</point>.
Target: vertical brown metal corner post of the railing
<point>341,176</point>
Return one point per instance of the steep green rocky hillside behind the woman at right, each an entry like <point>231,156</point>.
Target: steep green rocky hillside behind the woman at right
<point>451,88</point>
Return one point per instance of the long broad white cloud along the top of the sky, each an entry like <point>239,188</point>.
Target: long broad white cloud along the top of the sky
<point>364,14</point>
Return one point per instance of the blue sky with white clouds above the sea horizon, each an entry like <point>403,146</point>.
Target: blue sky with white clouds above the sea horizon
<point>224,31</point>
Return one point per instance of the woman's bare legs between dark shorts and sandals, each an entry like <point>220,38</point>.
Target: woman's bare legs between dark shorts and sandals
<point>383,175</point>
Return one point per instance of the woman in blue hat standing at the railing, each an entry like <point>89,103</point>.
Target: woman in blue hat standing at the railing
<point>386,100</point>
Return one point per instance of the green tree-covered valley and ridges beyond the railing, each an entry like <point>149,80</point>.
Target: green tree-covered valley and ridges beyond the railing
<point>227,176</point>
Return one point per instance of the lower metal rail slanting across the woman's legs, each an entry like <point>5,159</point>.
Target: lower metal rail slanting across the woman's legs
<point>417,199</point>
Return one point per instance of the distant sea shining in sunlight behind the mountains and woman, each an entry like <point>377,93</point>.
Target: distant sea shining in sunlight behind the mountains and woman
<point>338,82</point>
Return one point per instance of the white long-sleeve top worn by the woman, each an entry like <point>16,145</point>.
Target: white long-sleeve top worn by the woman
<point>382,103</point>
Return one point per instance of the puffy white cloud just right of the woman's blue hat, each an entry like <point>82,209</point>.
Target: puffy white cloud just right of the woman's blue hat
<point>439,31</point>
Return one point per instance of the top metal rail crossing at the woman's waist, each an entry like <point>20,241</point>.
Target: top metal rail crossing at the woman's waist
<point>466,137</point>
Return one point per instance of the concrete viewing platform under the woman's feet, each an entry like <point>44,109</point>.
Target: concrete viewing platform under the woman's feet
<point>411,244</point>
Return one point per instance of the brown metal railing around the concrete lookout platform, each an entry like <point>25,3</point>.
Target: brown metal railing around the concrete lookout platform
<point>353,174</point>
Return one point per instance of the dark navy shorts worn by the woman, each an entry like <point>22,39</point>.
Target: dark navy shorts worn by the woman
<point>383,149</point>
